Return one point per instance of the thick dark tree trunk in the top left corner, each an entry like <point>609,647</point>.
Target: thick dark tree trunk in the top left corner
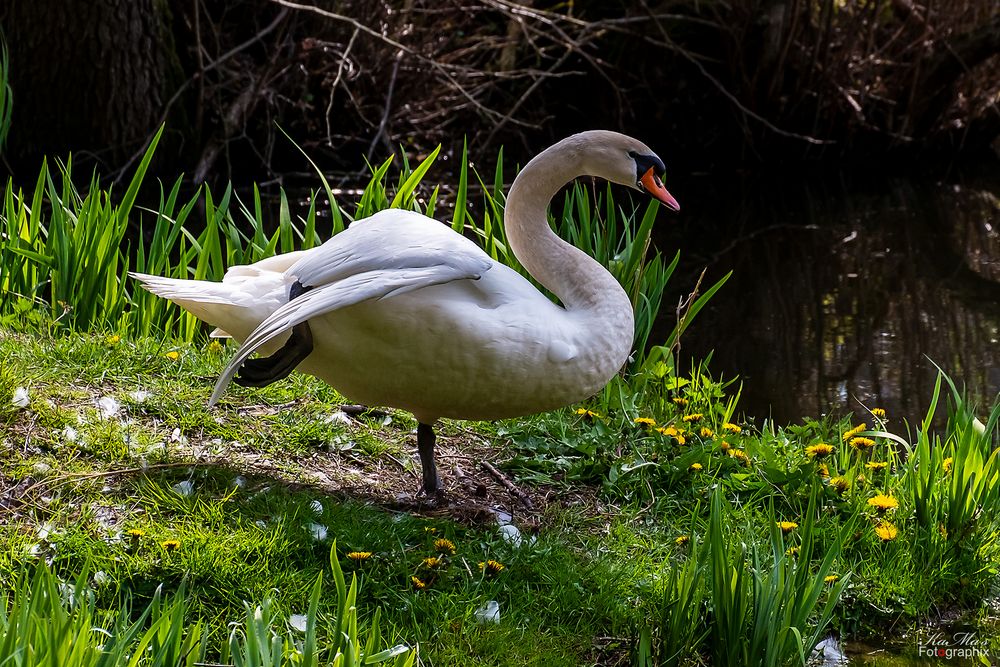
<point>88,76</point>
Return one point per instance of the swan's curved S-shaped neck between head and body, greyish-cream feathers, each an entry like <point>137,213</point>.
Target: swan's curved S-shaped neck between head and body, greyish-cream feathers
<point>579,281</point>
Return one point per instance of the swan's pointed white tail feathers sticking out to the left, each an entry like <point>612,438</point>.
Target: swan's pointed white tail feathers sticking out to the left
<point>234,307</point>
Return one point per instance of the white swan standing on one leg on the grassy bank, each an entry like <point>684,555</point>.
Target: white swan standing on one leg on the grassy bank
<point>398,310</point>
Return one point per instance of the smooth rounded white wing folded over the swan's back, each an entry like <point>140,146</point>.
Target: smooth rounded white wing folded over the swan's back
<point>392,239</point>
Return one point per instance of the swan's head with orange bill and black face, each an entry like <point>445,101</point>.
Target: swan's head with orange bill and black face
<point>622,159</point>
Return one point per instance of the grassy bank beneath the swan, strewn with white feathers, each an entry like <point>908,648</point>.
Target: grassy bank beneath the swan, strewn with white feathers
<point>98,492</point>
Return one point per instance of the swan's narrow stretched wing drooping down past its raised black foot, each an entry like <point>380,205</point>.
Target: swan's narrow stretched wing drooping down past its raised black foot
<point>351,290</point>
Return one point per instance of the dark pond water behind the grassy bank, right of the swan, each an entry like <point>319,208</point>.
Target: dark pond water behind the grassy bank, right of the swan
<point>844,288</point>
